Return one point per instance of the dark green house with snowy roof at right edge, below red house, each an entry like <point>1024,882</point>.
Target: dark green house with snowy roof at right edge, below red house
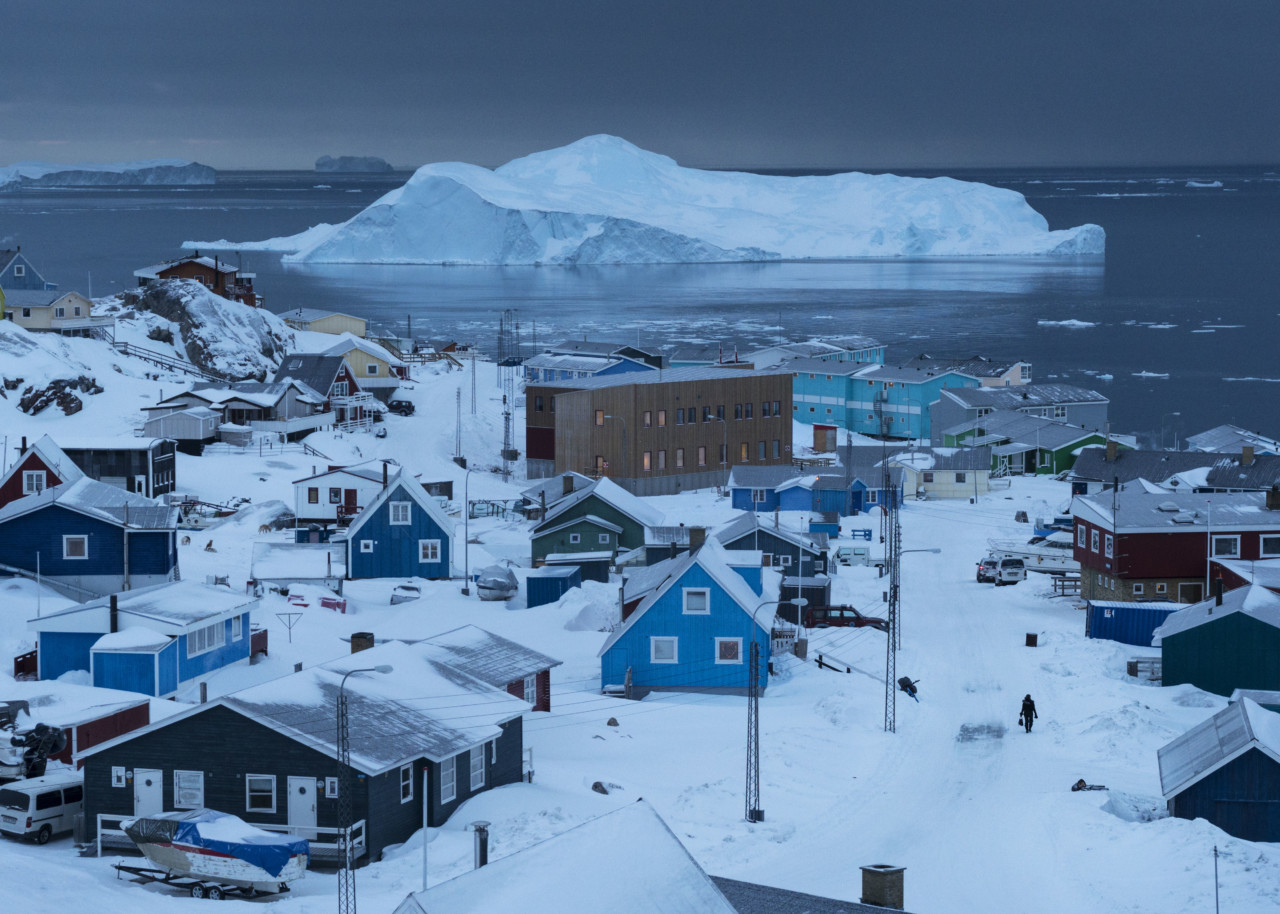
<point>1224,646</point>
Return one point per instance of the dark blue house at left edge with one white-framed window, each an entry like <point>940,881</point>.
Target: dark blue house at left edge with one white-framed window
<point>89,540</point>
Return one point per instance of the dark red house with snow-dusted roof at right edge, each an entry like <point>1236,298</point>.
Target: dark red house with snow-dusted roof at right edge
<point>1158,546</point>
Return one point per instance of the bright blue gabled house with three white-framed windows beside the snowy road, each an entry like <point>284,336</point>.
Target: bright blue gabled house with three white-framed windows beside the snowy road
<point>693,632</point>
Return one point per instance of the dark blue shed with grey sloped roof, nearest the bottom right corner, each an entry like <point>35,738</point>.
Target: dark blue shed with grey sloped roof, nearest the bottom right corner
<point>1227,771</point>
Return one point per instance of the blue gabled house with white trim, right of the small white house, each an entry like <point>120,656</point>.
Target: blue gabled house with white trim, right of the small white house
<point>401,533</point>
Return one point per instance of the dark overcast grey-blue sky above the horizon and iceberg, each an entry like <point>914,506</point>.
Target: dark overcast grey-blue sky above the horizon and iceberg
<point>895,84</point>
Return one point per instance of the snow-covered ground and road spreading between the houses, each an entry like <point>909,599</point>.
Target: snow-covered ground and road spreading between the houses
<point>979,812</point>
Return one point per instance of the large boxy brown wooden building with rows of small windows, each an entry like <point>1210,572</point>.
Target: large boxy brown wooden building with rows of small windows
<point>659,433</point>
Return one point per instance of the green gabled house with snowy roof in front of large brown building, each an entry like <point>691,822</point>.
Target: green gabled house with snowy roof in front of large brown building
<point>600,518</point>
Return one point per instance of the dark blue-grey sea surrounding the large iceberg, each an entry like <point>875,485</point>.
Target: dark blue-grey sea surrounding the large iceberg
<point>1185,316</point>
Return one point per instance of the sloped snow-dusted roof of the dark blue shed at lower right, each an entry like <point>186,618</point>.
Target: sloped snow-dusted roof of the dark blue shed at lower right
<point>1218,742</point>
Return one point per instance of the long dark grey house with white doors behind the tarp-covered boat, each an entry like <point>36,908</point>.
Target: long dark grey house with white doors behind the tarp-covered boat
<point>269,753</point>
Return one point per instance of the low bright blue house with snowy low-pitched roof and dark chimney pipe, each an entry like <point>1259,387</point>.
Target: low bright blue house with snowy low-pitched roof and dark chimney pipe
<point>154,641</point>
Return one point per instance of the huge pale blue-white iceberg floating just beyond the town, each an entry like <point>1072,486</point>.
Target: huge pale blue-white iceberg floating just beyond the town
<point>602,200</point>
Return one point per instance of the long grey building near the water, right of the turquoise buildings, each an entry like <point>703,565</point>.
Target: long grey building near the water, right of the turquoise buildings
<point>1064,403</point>
